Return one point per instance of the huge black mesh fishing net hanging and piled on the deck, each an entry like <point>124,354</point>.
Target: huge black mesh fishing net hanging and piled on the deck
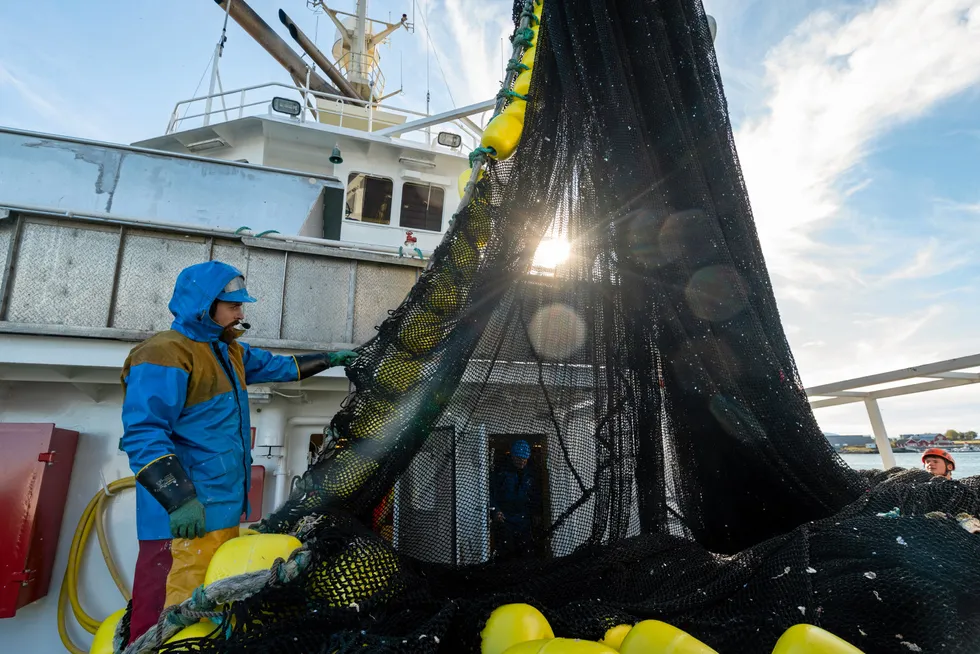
<point>604,298</point>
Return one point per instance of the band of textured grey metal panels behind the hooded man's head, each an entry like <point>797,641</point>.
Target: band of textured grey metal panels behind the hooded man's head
<point>84,277</point>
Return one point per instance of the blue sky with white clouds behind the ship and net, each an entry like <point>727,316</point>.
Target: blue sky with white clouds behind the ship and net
<point>857,124</point>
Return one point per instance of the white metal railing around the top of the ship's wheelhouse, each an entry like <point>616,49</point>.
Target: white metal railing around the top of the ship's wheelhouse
<point>245,101</point>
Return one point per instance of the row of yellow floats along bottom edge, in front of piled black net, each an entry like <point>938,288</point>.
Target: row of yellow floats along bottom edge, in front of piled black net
<point>522,629</point>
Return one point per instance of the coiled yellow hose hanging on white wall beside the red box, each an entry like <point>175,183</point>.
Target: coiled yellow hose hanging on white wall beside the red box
<point>92,515</point>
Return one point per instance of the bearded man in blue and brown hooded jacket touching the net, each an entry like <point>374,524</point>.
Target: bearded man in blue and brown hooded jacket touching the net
<point>187,434</point>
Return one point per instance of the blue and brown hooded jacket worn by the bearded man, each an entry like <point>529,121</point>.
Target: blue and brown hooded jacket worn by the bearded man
<point>184,395</point>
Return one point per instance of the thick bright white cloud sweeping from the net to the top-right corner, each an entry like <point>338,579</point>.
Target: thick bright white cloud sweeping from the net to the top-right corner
<point>835,85</point>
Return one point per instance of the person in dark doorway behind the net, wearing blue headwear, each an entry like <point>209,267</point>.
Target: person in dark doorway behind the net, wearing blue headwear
<point>513,498</point>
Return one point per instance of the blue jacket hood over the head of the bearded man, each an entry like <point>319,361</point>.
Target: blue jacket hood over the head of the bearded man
<point>195,291</point>
